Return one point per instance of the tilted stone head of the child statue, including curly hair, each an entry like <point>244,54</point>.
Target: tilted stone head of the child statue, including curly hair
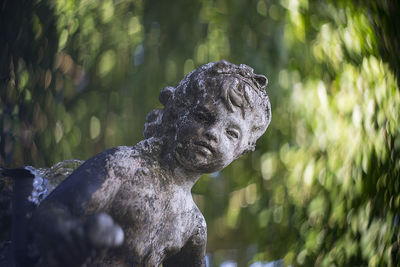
<point>213,116</point>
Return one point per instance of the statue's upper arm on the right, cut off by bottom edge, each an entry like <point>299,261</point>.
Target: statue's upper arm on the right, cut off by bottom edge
<point>193,254</point>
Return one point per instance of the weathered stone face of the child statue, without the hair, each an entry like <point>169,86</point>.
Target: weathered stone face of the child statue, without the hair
<point>209,137</point>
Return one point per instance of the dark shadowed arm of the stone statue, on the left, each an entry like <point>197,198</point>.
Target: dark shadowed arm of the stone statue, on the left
<point>66,231</point>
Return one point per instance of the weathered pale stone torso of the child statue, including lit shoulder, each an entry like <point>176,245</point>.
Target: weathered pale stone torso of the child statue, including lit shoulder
<point>158,216</point>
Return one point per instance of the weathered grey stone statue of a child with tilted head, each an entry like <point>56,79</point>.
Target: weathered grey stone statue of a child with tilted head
<point>132,206</point>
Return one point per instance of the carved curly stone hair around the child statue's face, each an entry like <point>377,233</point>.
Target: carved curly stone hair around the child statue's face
<point>236,85</point>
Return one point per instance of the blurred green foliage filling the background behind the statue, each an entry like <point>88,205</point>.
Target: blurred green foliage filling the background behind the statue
<point>322,188</point>
